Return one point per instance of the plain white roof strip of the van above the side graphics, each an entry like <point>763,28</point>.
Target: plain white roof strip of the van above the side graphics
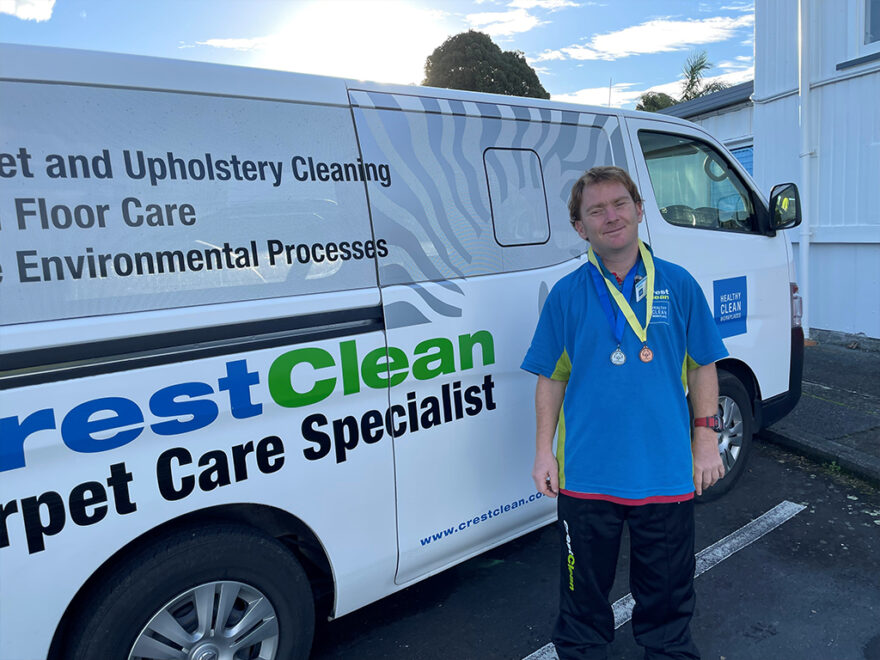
<point>86,67</point>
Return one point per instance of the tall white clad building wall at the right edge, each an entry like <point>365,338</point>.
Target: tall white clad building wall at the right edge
<point>844,114</point>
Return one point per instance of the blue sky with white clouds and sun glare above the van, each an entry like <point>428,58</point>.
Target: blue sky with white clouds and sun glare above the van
<point>579,48</point>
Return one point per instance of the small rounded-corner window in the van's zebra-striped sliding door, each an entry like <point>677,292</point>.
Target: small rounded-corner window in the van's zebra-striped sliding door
<point>516,196</point>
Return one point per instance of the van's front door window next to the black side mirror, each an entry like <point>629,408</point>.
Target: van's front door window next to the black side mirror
<point>695,186</point>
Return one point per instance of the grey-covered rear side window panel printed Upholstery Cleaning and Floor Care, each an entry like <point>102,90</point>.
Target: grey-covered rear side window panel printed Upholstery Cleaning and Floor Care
<point>141,213</point>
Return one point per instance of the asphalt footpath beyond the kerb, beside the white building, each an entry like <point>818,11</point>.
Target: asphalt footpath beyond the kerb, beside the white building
<point>837,420</point>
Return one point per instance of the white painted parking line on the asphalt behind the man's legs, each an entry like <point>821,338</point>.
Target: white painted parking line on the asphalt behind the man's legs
<point>706,559</point>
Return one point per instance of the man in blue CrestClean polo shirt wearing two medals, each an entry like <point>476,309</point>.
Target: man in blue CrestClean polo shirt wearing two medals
<point>611,347</point>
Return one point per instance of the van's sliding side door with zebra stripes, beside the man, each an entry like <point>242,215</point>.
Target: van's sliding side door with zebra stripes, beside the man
<point>473,214</point>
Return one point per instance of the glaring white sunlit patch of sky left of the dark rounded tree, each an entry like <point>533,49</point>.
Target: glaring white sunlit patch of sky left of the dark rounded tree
<point>366,45</point>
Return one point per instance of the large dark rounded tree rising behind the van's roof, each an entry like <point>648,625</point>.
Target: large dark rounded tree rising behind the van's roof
<point>472,61</point>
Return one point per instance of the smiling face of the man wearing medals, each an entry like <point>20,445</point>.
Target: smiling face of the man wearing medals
<point>609,218</point>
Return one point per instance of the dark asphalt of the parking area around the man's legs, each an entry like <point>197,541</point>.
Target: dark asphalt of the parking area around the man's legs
<point>808,589</point>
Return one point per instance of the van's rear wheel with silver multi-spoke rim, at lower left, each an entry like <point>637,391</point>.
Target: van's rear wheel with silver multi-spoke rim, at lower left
<point>220,592</point>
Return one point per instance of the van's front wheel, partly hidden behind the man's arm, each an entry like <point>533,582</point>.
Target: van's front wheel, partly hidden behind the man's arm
<point>735,438</point>
